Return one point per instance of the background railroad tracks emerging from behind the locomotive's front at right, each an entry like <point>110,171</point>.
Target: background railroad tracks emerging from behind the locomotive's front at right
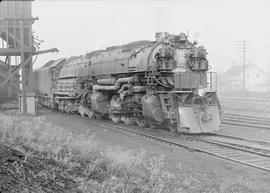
<point>246,120</point>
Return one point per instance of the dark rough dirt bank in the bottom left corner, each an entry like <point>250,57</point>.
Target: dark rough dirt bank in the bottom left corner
<point>19,173</point>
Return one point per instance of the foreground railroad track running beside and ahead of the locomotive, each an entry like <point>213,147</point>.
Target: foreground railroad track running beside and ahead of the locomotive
<point>250,152</point>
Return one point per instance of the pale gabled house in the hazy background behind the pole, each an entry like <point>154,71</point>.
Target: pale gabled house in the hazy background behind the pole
<point>256,79</point>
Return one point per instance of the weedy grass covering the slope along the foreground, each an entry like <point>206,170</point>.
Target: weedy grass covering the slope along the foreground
<point>58,161</point>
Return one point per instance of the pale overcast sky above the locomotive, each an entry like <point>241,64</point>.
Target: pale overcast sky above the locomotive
<point>77,27</point>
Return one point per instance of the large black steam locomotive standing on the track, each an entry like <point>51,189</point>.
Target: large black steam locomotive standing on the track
<point>165,82</point>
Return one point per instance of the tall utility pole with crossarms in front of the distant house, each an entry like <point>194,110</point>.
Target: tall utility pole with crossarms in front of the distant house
<point>244,46</point>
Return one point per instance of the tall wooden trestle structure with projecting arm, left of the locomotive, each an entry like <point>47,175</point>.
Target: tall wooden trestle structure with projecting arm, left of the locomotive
<point>17,47</point>
